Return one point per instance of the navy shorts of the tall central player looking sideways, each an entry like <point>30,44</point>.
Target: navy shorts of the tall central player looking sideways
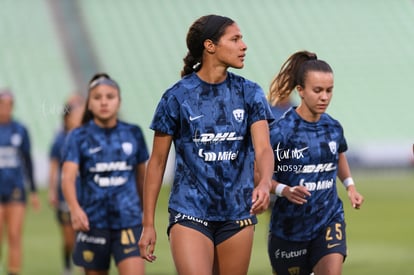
<point>217,231</point>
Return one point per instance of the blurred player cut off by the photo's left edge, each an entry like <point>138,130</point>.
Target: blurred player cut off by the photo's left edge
<point>16,168</point>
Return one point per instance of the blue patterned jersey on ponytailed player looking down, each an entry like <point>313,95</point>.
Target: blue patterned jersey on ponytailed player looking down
<point>306,154</point>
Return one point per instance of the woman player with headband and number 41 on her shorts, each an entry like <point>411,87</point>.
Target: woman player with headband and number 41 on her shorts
<point>110,157</point>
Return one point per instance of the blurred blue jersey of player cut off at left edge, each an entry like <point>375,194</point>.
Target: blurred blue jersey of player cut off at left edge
<point>15,159</point>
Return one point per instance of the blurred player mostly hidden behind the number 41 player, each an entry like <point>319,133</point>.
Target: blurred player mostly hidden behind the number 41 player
<point>72,116</point>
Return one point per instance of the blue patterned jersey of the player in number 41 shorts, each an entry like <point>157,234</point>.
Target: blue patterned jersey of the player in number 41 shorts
<point>107,159</point>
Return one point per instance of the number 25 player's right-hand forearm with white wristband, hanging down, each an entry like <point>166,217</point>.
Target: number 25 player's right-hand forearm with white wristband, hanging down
<point>344,174</point>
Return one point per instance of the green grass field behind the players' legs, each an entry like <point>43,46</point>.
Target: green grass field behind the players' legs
<point>380,235</point>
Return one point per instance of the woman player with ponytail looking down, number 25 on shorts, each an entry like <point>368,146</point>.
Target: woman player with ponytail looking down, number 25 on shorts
<point>307,229</point>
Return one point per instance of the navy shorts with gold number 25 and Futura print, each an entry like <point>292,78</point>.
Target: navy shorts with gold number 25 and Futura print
<point>289,257</point>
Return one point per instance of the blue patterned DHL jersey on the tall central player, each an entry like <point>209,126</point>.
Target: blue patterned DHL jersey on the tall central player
<point>210,125</point>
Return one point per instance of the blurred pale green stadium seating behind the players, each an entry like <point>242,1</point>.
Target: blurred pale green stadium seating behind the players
<point>141,44</point>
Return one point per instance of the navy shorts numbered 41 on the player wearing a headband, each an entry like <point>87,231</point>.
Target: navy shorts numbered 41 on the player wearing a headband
<point>93,249</point>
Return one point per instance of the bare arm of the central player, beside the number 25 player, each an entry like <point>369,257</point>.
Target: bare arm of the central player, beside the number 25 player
<point>264,164</point>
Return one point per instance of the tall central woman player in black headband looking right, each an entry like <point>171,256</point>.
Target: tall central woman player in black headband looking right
<point>215,119</point>
